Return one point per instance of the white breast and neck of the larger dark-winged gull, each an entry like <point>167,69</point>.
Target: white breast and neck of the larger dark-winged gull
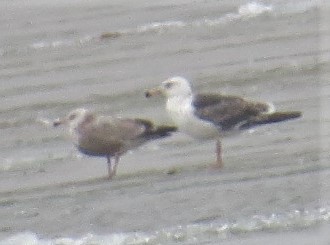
<point>182,113</point>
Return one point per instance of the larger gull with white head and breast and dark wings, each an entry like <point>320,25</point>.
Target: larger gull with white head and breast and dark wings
<point>205,116</point>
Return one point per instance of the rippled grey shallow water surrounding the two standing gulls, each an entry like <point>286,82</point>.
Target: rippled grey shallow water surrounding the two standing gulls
<point>102,55</point>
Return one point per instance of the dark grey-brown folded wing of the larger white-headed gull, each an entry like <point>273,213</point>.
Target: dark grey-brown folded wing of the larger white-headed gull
<point>226,111</point>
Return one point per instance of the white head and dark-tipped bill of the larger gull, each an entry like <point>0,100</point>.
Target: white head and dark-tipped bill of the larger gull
<point>172,87</point>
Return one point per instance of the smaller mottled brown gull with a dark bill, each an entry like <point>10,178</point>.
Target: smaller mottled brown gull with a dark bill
<point>108,136</point>
